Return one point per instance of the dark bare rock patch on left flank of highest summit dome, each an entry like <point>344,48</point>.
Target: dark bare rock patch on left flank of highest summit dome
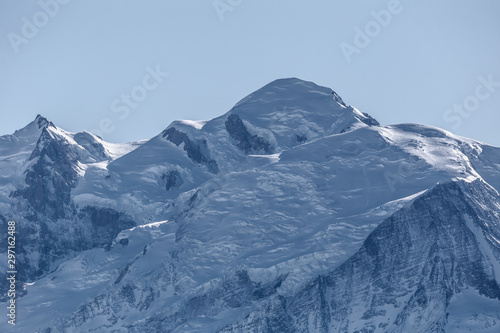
<point>247,142</point>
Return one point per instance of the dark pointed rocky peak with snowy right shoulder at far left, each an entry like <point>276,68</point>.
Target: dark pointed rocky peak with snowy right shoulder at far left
<point>45,165</point>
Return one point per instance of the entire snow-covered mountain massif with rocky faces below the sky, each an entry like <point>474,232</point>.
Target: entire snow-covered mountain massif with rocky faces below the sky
<point>292,212</point>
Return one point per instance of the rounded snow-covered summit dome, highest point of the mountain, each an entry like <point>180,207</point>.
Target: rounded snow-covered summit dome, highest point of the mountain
<point>294,111</point>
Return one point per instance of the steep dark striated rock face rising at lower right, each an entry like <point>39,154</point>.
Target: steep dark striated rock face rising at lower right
<point>408,271</point>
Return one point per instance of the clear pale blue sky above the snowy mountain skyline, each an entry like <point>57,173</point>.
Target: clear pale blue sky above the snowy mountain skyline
<point>102,65</point>
